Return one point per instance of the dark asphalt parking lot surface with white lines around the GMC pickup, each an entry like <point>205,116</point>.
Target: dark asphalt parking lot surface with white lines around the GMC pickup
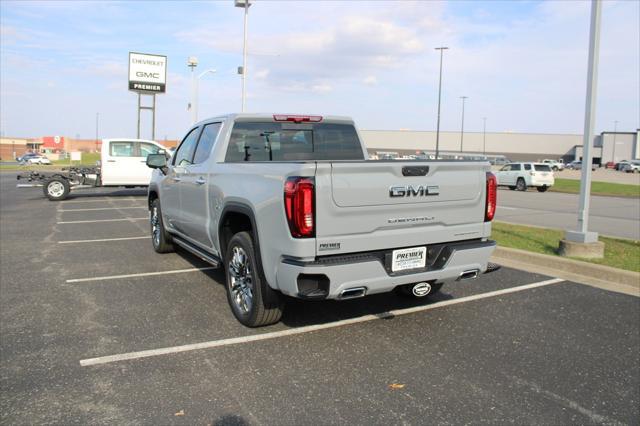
<point>108,331</point>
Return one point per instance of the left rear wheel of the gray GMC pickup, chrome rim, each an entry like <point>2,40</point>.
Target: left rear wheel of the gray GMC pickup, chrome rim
<point>252,301</point>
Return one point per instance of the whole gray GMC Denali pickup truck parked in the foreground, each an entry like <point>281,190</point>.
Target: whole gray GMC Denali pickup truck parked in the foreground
<point>289,204</point>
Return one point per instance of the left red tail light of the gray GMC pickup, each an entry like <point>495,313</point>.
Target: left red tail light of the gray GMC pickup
<point>299,206</point>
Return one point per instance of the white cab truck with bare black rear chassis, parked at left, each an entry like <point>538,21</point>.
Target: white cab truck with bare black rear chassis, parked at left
<point>122,163</point>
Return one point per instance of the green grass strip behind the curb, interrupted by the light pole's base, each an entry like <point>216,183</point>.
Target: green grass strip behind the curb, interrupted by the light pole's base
<point>618,253</point>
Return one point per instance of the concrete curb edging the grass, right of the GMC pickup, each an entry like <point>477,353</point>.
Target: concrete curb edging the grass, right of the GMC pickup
<point>600,276</point>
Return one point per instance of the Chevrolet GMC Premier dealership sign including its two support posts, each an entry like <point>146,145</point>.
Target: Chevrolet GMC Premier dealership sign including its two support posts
<point>147,76</point>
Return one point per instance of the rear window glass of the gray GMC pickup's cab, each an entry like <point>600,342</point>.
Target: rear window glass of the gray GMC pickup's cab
<point>293,142</point>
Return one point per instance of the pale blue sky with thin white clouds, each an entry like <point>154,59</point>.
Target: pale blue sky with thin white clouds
<point>522,64</point>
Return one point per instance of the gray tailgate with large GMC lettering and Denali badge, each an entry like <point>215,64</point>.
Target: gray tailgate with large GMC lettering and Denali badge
<point>369,205</point>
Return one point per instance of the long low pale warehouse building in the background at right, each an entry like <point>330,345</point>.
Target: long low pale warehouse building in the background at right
<point>608,146</point>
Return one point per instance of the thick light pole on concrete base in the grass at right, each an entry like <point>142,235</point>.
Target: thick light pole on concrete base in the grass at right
<point>582,242</point>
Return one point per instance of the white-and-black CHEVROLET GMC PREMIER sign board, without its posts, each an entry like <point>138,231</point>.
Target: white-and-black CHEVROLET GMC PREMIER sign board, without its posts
<point>147,73</point>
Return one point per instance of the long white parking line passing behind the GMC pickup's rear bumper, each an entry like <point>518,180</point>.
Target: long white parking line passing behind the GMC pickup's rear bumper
<point>306,329</point>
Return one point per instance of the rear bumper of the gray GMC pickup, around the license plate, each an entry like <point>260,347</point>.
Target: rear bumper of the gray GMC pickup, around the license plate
<point>371,270</point>
